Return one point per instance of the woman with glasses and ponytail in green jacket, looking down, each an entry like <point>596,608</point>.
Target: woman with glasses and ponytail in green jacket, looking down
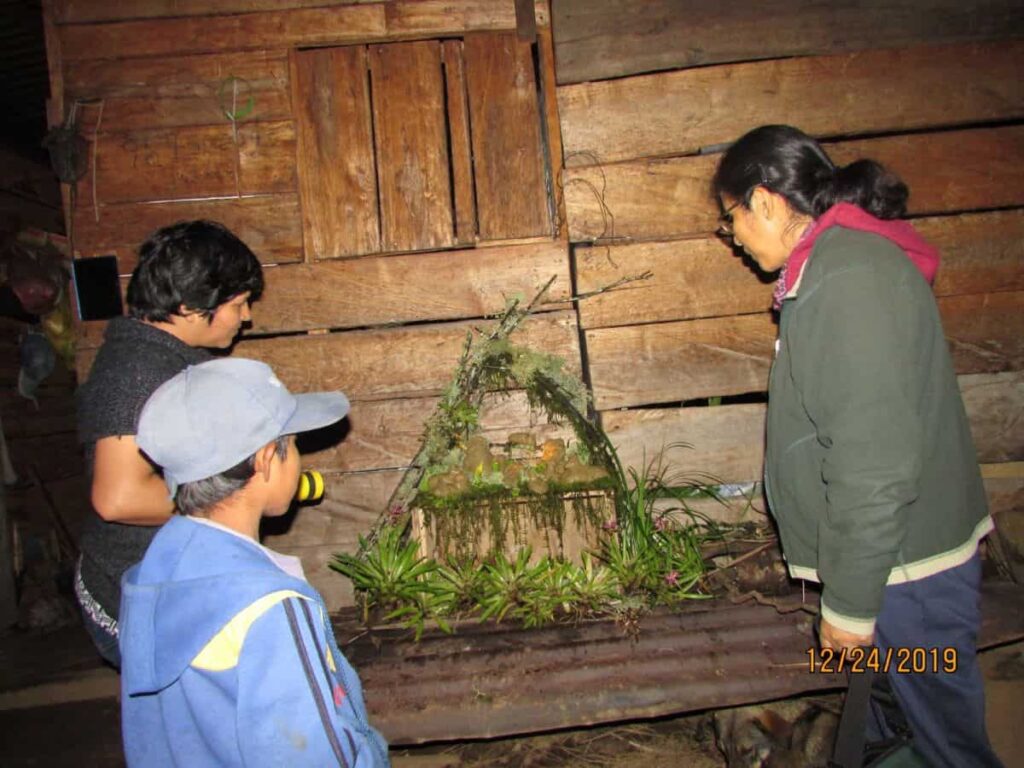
<point>871,473</point>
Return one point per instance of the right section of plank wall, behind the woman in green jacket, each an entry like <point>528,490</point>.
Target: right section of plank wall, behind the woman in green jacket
<point>650,93</point>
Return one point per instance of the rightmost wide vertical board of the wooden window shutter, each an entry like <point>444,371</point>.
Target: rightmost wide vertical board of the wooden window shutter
<point>505,118</point>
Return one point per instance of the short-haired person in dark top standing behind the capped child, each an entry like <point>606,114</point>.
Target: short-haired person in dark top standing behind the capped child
<point>191,292</point>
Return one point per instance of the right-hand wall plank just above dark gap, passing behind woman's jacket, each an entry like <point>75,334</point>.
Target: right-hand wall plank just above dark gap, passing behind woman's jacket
<point>682,361</point>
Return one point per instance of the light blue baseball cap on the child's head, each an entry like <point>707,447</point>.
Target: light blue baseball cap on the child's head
<point>212,416</point>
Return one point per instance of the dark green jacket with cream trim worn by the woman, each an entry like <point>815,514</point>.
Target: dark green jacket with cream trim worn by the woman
<point>870,470</point>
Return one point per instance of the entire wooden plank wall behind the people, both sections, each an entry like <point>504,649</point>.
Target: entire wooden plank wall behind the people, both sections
<point>377,269</point>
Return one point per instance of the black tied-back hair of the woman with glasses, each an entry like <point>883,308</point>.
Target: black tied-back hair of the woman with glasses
<point>789,162</point>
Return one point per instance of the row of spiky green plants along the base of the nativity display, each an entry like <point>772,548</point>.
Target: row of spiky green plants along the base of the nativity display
<point>650,556</point>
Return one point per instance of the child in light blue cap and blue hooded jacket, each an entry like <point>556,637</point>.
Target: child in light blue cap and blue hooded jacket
<point>228,654</point>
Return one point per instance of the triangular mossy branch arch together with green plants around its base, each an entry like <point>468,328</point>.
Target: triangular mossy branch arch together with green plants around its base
<point>650,554</point>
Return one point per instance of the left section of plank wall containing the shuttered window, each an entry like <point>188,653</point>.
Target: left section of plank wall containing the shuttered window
<point>389,169</point>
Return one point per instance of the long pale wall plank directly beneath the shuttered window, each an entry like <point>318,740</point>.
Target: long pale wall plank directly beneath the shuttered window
<point>372,291</point>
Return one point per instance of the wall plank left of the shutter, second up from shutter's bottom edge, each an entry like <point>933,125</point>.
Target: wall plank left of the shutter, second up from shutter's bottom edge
<point>192,163</point>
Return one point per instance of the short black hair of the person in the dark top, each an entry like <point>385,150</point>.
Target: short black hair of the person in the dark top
<point>200,265</point>
